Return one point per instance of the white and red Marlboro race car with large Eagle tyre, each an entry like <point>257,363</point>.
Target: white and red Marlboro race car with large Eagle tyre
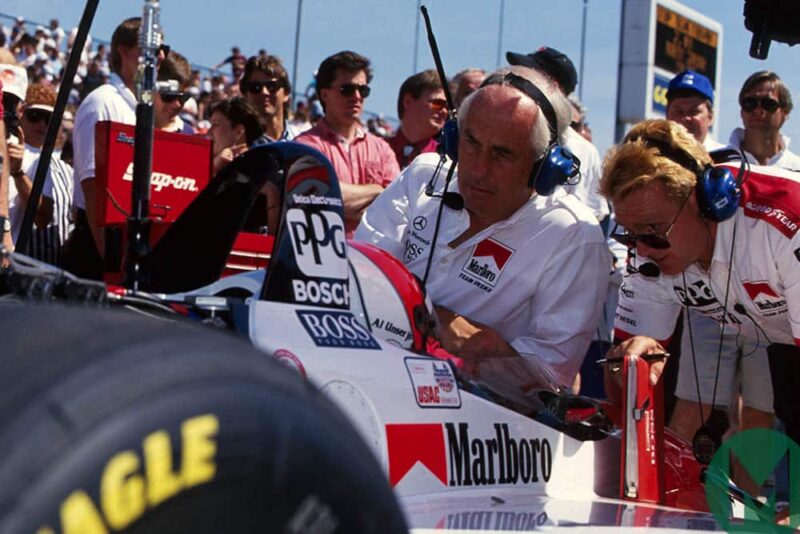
<point>460,451</point>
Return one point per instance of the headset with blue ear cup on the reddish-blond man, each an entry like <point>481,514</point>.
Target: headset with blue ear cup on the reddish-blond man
<point>719,192</point>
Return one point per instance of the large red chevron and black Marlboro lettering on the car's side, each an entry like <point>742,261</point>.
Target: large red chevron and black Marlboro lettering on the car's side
<point>458,457</point>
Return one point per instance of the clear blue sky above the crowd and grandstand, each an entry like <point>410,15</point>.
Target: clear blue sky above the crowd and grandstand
<point>467,32</point>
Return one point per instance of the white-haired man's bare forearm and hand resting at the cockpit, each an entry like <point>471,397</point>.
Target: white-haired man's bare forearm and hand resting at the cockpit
<point>470,340</point>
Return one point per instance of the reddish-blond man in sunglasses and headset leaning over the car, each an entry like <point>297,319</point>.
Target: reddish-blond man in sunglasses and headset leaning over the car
<point>730,258</point>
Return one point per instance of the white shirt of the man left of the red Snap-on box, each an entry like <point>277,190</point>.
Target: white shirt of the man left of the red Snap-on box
<point>109,102</point>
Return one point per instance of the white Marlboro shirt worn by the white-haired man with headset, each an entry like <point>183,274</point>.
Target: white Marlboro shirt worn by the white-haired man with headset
<point>538,278</point>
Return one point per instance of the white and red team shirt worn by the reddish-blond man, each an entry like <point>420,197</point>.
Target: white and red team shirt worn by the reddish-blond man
<point>765,274</point>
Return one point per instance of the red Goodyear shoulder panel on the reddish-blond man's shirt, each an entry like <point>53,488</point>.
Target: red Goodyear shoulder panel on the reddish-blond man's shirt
<point>774,199</point>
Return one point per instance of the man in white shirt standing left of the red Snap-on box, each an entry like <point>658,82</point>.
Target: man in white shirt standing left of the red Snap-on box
<point>114,101</point>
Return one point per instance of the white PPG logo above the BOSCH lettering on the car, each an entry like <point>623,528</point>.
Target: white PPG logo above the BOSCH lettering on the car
<point>318,241</point>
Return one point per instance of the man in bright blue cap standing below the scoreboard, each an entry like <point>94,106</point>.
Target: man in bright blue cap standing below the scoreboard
<point>690,102</point>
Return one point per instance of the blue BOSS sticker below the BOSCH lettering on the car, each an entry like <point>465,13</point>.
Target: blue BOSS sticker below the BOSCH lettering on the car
<point>336,329</point>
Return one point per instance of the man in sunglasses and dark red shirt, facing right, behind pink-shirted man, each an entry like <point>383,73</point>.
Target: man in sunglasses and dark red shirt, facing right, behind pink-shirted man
<point>422,109</point>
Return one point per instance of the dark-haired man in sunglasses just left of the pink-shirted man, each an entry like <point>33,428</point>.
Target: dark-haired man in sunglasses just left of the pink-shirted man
<point>265,85</point>
